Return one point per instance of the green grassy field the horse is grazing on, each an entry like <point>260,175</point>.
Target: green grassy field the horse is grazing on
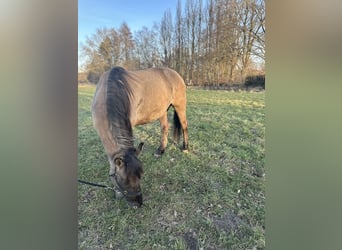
<point>211,198</point>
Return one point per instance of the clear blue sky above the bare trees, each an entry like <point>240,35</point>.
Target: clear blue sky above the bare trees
<point>93,14</point>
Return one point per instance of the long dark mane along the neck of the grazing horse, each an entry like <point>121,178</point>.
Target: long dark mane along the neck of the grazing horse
<point>118,105</point>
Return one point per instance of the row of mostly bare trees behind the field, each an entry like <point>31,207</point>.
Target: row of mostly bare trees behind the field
<point>209,43</point>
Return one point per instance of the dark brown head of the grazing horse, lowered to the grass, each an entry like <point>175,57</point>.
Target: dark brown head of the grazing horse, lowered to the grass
<point>126,171</point>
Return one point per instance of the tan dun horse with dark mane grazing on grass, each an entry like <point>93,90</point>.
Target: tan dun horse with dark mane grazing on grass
<point>124,99</point>
